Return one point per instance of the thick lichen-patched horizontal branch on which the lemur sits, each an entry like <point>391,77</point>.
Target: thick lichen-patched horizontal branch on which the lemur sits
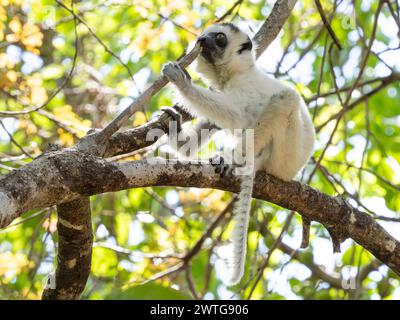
<point>64,175</point>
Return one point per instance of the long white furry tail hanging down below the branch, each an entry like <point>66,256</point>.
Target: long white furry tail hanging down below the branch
<point>241,213</point>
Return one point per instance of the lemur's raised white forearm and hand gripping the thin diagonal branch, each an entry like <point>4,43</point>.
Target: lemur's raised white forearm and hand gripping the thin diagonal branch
<point>203,102</point>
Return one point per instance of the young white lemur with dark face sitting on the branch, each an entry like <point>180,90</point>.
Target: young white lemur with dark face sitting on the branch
<point>243,97</point>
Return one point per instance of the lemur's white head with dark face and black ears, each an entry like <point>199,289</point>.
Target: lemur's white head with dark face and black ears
<point>223,42</point>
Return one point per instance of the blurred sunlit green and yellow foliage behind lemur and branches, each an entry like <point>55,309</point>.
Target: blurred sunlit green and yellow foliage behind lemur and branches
<point>61,75</point>
